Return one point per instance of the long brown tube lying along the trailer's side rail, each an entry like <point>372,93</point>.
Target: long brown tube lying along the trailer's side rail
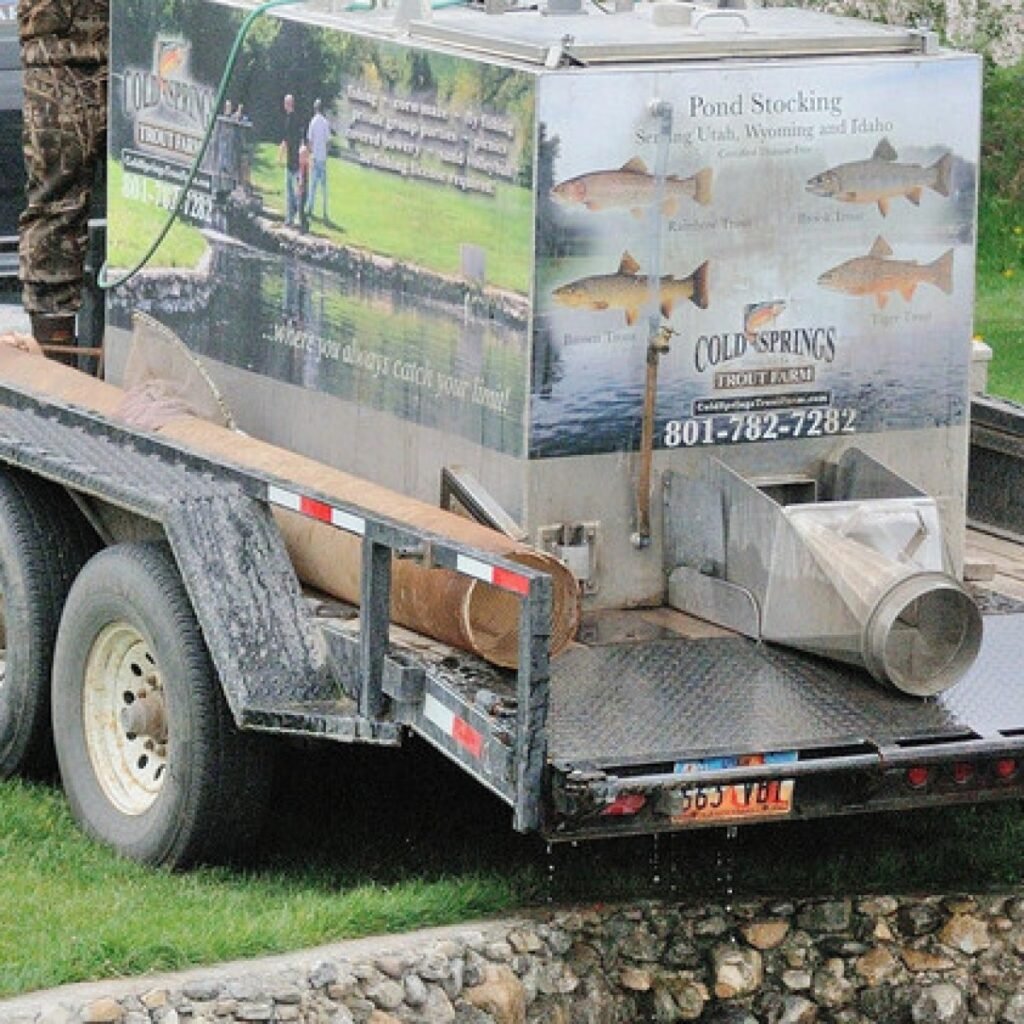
<point>440,604</point>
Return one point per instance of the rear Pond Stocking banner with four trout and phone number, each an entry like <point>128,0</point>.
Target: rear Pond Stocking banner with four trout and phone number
<point>796,240</point>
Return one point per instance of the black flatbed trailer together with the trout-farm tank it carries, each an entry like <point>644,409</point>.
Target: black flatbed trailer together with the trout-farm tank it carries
<point>675,301</point>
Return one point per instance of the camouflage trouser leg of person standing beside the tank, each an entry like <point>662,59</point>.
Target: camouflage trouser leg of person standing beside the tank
<point>65,50</point>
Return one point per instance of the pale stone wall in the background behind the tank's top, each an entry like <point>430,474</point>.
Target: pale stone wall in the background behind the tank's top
<point>992,27</point>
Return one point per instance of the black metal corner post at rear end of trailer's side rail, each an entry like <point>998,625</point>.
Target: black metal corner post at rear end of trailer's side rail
<point>532,713</point>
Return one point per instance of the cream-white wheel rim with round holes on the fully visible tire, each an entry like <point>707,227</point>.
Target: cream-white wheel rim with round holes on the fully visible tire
<point>125,718</point>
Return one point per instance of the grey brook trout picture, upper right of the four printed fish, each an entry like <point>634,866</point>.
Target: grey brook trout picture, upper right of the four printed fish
<point>881,180</point>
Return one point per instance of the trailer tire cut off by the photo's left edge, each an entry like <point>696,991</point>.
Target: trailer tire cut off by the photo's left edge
<point>45,542</point>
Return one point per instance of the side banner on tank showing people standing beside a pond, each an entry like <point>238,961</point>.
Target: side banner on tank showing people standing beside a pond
<point>361,224</point>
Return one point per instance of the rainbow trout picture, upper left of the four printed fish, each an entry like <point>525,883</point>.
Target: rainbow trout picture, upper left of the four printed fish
<point>633,188</point>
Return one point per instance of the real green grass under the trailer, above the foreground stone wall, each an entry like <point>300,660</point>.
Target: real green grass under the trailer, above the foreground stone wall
<point>382,841</point>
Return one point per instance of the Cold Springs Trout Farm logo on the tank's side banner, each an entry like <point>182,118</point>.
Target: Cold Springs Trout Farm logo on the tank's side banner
<point>168,108</point>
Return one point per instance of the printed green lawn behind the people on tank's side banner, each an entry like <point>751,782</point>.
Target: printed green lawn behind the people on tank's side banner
<point>416,222</point>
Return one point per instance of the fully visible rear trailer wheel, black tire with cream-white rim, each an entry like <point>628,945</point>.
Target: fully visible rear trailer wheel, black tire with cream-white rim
<point>151,760</point>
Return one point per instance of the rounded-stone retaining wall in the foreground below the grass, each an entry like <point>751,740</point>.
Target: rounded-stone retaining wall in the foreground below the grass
<point>922,961</point>
